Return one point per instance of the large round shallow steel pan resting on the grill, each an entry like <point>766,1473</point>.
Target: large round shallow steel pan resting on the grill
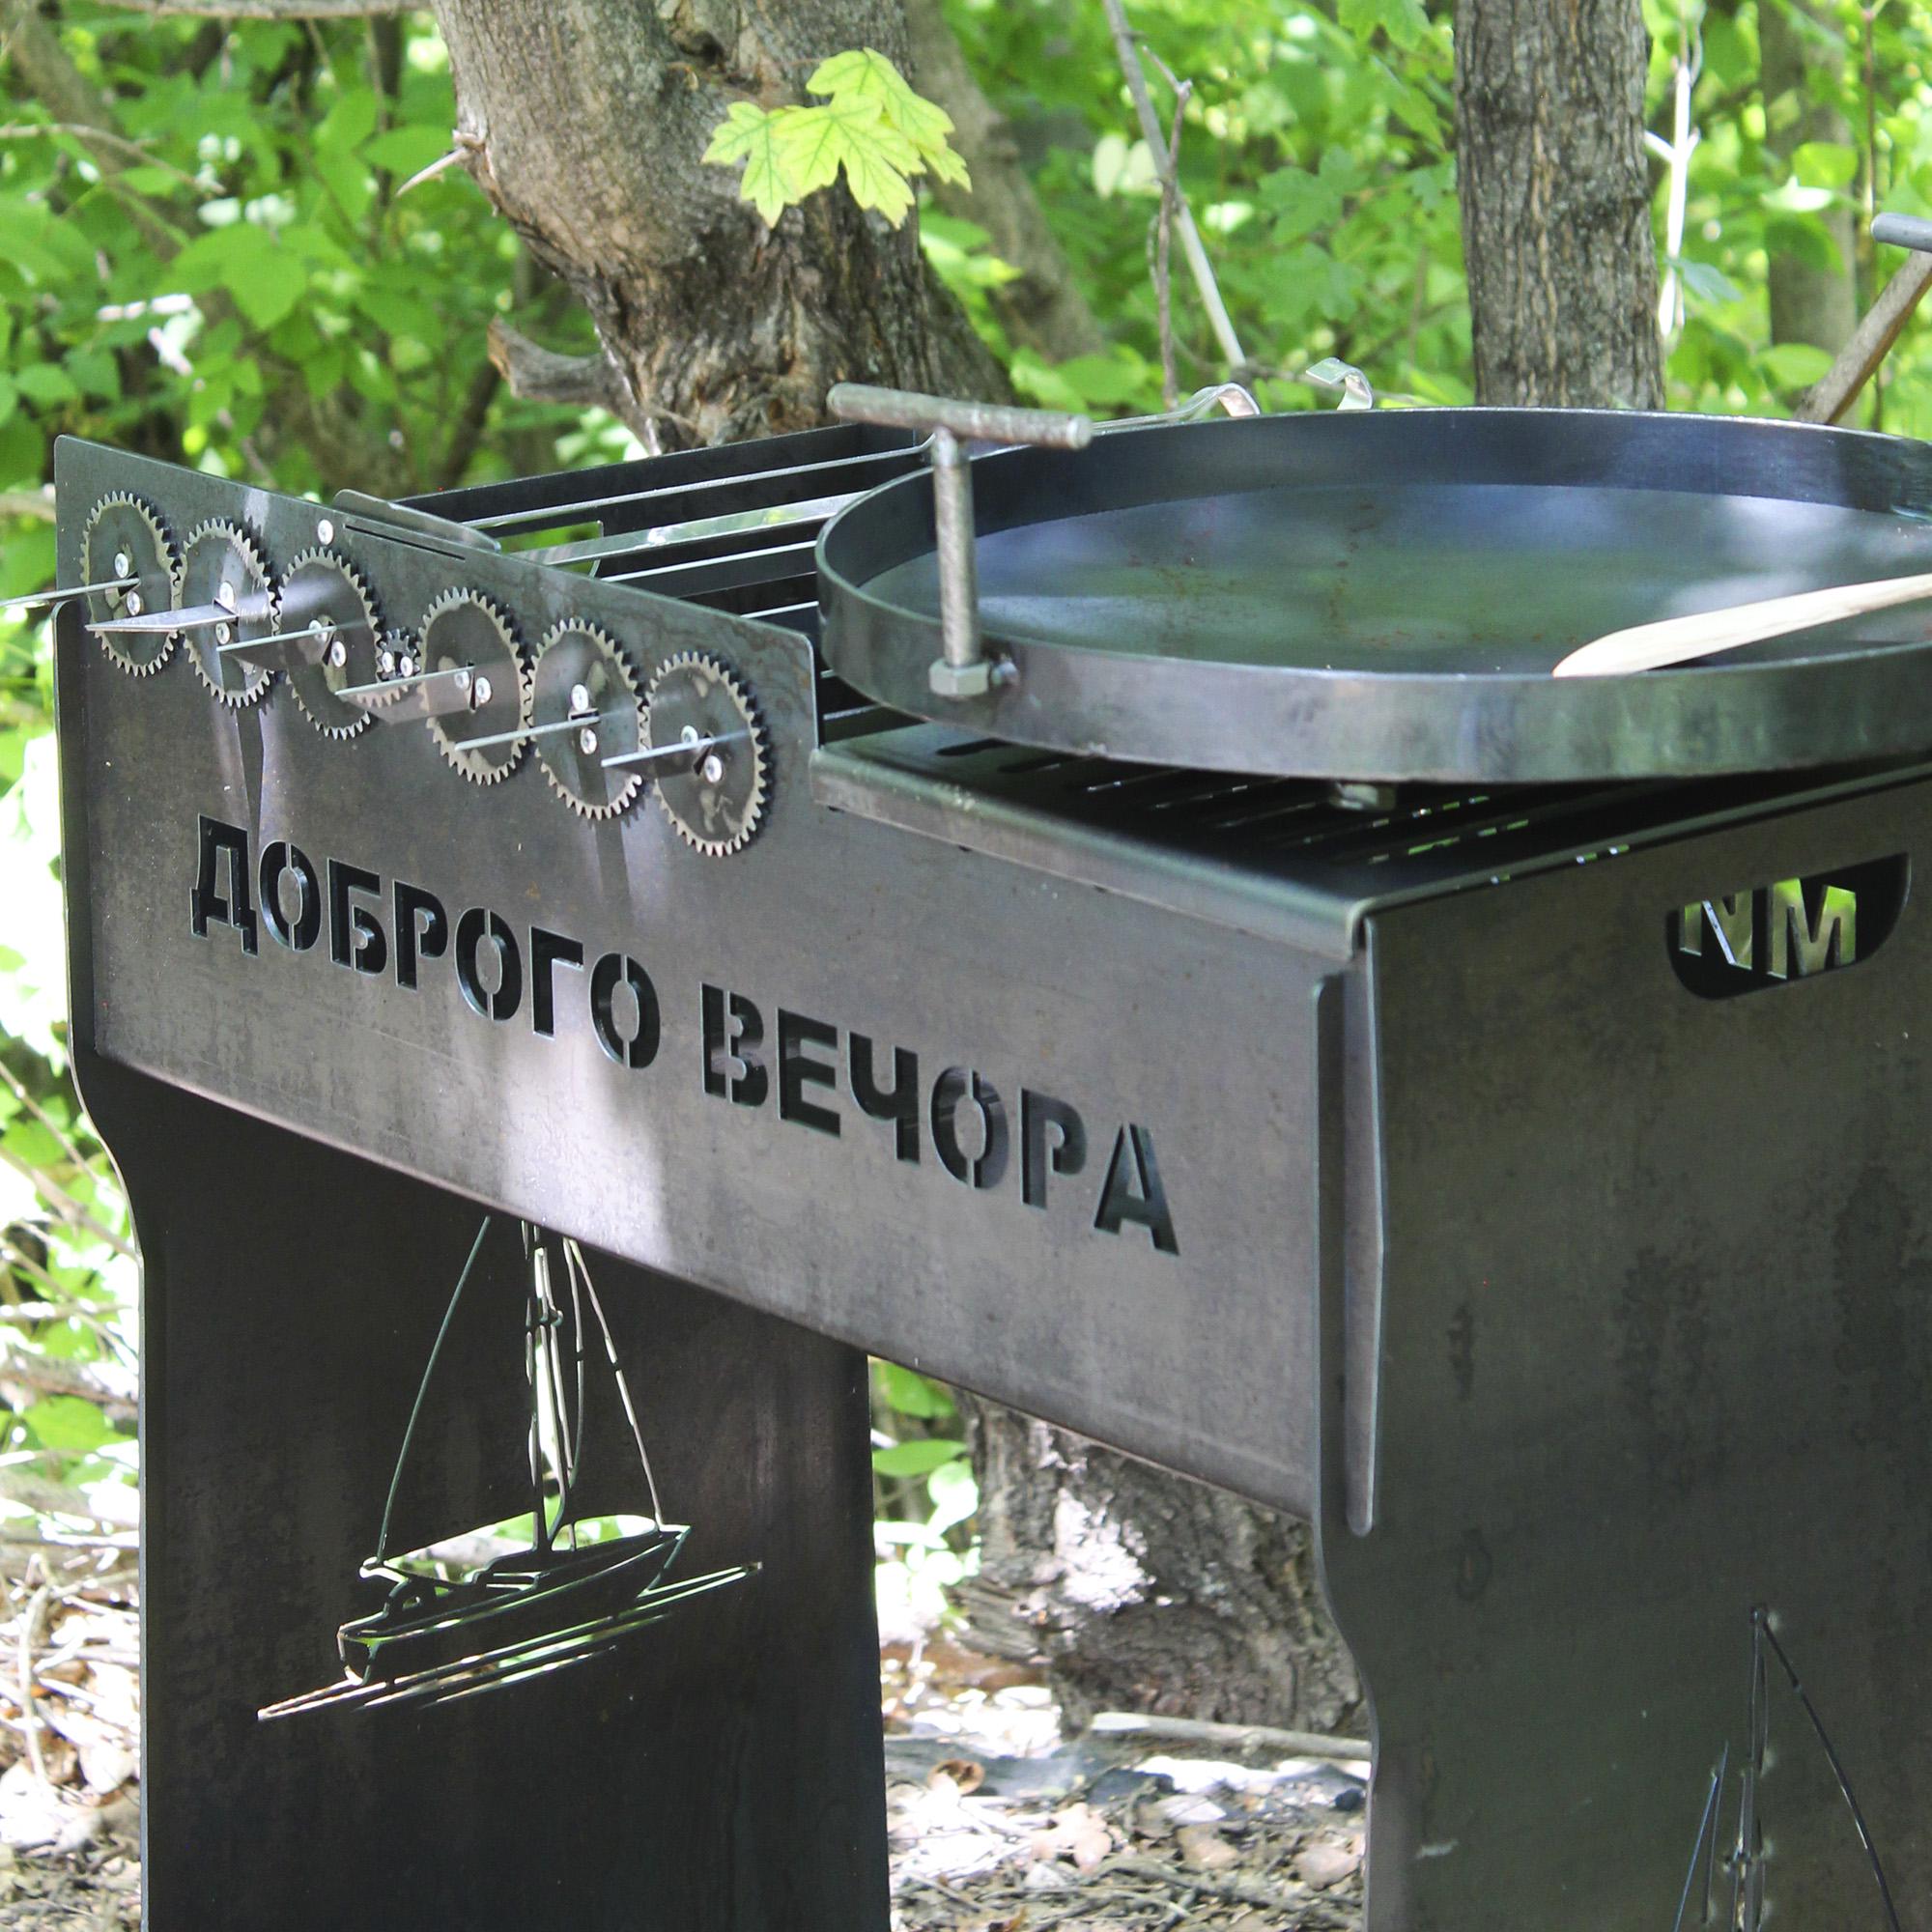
<point>1382,596</point>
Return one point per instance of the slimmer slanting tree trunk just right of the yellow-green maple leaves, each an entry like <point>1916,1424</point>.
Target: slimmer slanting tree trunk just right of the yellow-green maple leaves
<point>1040,308</point>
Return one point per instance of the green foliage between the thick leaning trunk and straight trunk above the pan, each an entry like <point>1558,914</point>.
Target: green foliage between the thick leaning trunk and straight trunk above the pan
<point>1315,156</point>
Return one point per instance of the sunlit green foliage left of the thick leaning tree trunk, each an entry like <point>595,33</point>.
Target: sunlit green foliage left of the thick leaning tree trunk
<point>225,277</point>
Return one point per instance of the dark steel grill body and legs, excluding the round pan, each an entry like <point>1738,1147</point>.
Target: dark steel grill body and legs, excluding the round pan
<point>1527,1183</point>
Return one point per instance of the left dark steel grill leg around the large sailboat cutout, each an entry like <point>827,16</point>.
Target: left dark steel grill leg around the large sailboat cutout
<point>718,1771</point>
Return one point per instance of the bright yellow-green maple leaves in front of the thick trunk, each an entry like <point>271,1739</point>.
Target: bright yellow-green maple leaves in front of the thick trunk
<point>872,127</point>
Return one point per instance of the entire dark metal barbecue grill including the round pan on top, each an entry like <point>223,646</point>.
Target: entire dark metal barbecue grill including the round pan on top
<point>1208,986</point>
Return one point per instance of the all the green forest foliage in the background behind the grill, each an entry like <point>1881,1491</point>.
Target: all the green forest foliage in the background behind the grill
<point>206,256</point>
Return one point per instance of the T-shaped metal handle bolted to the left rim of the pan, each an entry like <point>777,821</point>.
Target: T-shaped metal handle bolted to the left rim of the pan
<point>965,669</point>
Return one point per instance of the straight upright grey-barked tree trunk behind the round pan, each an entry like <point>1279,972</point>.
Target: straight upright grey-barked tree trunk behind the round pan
<point>1556,202</point>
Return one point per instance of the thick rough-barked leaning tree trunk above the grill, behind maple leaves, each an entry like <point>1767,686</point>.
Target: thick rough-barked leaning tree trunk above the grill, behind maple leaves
<point>584,121</point>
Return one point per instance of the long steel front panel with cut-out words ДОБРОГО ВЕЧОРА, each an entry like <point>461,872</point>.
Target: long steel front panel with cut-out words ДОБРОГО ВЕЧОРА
<point>1189,1031</point>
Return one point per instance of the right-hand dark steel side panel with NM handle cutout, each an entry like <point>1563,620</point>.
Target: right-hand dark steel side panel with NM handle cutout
<point>1655,1351</point>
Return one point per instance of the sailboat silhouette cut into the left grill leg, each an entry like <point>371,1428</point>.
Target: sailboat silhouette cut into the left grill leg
<point>494,1606</point>
